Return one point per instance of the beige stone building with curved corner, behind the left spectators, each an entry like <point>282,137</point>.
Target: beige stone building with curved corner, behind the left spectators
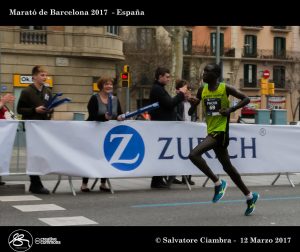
<point>75,56</point>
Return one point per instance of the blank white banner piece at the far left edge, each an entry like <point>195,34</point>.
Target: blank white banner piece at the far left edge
<point>8,131</point>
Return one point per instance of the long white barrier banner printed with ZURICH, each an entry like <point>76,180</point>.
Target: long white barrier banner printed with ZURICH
<point>143,148</point>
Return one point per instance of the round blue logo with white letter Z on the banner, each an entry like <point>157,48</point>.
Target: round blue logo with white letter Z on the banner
<point>124,148</point>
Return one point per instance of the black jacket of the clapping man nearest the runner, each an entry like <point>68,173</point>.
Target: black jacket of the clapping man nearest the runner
<point>167,104</point>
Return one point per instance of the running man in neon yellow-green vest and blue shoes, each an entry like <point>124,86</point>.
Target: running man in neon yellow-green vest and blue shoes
<point>214,96</point>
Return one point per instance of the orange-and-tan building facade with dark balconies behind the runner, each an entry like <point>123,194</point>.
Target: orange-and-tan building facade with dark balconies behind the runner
<point>246,52</point>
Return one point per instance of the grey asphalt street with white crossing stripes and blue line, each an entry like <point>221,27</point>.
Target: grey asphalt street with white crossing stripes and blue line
<point>135,204</point>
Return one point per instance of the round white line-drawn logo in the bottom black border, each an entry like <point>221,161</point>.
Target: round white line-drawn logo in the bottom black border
<point>20,240</point>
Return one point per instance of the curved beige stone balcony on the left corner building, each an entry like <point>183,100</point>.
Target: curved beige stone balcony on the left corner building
<point>65,42</point>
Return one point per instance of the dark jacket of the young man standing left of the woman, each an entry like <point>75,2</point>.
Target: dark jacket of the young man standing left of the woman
<point>32,98</point>
